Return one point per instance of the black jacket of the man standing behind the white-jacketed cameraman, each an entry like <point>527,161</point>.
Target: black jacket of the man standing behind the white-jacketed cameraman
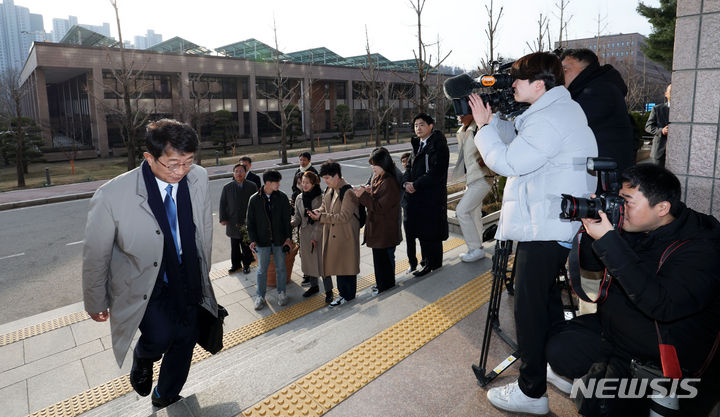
<point>601,91</point>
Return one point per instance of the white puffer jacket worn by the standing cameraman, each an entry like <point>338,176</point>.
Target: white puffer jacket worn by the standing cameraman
<point>544,159</point>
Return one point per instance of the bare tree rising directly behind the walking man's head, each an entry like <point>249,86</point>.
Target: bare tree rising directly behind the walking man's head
<point>132,116</point>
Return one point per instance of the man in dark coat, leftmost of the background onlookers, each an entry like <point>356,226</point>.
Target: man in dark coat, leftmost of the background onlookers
<point>232,213</point>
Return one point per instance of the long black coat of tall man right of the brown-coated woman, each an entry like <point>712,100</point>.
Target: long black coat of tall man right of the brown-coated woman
<point>427,171</point>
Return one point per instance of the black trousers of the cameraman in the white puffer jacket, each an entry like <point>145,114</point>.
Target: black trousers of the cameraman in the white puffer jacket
<point>538,308</point>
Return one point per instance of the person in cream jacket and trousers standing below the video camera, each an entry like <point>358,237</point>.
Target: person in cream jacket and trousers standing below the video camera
<point>477,176</point>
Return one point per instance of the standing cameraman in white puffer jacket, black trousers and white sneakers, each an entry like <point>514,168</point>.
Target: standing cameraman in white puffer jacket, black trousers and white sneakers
<point>542,153</point>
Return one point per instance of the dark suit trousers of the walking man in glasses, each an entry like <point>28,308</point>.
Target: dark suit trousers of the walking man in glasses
<point>172,338</point>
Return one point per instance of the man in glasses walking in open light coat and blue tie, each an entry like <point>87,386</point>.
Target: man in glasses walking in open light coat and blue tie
<point>146,259</point>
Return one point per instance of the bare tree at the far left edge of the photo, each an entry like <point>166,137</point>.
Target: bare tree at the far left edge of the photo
<point>11,96</point>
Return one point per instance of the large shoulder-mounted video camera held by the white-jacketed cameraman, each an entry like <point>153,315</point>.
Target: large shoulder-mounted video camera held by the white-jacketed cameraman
<point>501,100</point>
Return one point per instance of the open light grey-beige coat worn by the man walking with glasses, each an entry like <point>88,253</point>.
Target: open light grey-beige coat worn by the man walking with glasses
<point>124,247</point>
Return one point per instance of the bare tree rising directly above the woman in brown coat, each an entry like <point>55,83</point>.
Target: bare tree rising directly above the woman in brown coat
<point>376,92</point>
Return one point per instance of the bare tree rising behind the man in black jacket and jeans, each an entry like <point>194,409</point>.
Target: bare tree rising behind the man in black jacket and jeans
<point>285,94</point>
